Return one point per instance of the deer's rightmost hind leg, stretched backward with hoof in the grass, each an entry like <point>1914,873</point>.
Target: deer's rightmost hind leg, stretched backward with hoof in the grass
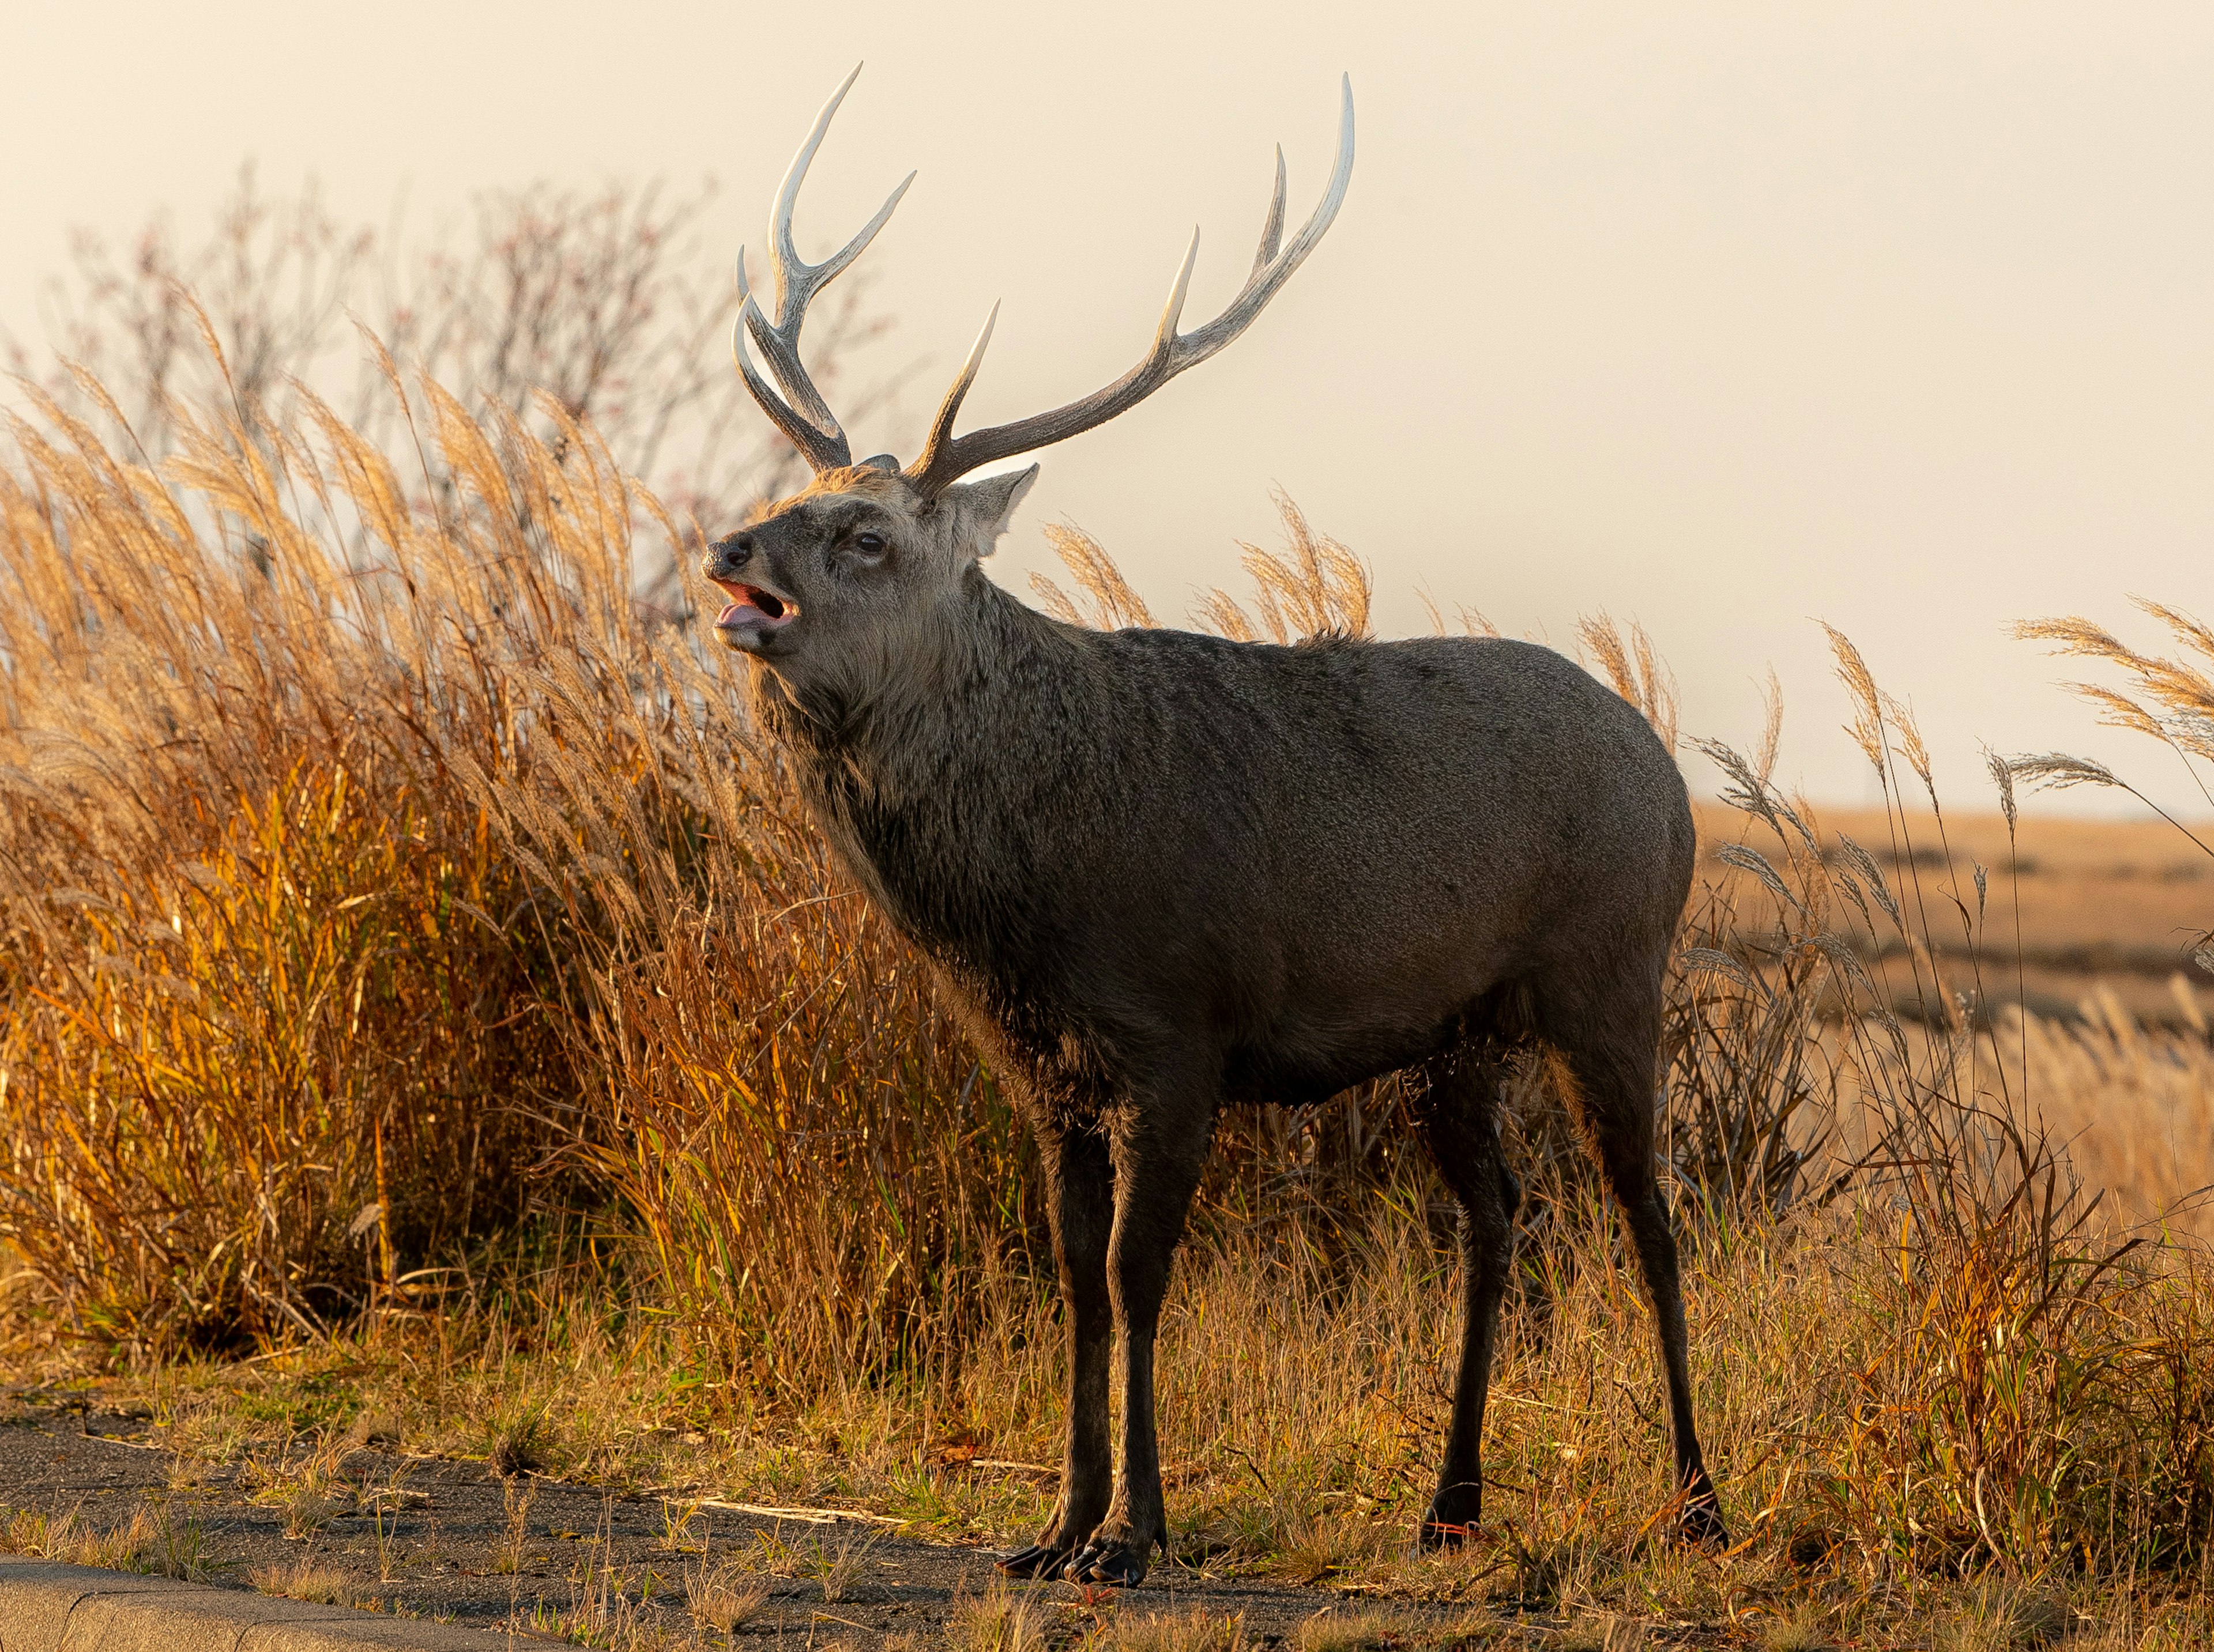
<point>1606,1026</point>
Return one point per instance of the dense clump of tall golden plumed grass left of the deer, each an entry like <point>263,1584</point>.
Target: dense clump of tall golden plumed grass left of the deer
<point>377,867</point>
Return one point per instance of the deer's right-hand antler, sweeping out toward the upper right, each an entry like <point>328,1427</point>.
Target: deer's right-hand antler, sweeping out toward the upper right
<point>949,457</point>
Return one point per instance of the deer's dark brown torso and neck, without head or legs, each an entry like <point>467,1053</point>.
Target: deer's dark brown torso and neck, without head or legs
<point>1299,867</point>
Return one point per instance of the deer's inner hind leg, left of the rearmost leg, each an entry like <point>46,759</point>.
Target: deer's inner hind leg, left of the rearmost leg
<point>1460,1124</point>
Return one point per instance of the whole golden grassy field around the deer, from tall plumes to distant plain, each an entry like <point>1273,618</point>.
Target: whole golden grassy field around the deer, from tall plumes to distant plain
<point>428,1022</point>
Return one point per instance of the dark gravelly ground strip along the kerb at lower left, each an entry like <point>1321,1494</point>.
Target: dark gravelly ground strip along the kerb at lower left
<point>459,1542</point>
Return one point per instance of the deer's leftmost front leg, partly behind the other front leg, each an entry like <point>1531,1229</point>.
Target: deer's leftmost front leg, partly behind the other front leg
<point>1079,1201</point>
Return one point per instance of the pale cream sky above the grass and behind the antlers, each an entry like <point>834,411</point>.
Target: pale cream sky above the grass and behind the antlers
<point>1717,318</point>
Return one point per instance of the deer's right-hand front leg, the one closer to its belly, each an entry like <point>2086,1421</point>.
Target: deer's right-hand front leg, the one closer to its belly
<point>1159,1155</point>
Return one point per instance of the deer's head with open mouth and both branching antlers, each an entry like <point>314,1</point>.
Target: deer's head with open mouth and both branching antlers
<point>834,581</point>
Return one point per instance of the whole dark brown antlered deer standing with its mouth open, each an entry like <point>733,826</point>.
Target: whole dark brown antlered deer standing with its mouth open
<point>1163,874</point>
